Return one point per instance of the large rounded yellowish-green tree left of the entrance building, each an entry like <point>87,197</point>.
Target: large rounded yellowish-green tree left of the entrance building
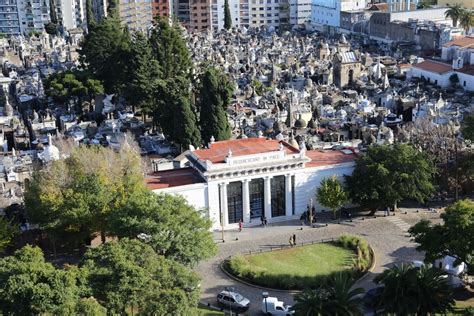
<point>73,197</point>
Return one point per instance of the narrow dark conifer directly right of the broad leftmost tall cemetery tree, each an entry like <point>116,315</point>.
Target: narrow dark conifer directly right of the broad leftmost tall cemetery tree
<point>144,75</point>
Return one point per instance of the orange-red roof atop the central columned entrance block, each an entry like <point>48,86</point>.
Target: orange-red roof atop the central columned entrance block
<point>241,147</point>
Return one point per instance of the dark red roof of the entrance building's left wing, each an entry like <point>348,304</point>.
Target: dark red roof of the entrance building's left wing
<point>172,178</point>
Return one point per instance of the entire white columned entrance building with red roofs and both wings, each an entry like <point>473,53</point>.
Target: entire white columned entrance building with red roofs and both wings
<point>246,179</point>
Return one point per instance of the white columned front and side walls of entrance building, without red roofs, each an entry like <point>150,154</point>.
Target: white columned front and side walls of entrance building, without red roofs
<point>277,184</point>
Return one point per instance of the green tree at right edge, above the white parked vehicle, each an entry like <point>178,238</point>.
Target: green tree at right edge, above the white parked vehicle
<point>453,237</point>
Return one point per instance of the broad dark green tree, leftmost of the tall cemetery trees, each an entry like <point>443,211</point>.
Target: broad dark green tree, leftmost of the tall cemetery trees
<point>105,51</point>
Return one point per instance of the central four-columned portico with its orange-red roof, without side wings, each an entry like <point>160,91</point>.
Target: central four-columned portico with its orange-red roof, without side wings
<point>254,177</point>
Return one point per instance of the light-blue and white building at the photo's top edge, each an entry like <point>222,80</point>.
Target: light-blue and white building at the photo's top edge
<point>328,12</point>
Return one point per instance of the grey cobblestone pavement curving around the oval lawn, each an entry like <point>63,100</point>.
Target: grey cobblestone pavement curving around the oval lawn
<point>387,236</point>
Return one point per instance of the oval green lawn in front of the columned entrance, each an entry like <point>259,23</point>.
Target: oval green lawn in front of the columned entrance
<point>293,268</point>
